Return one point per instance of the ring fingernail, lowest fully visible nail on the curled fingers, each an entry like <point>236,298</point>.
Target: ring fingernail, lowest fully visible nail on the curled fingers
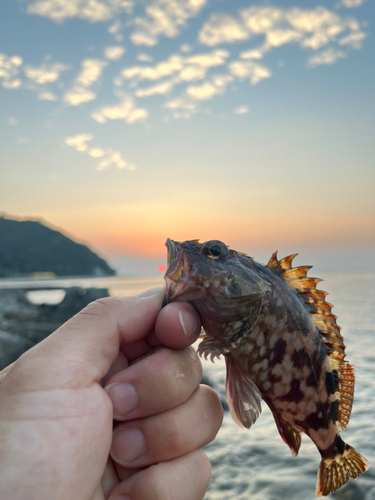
<point>128,444</point>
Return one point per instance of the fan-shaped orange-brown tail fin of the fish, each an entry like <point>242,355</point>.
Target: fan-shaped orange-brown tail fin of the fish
<point>335,472</point>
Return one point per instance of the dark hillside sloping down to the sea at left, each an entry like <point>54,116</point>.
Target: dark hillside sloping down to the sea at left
<point>31,247</point>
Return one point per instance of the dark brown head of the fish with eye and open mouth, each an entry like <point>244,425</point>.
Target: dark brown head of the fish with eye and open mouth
<point>219,282</point>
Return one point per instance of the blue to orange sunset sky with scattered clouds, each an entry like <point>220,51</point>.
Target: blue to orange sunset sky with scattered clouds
<point>126,122</point>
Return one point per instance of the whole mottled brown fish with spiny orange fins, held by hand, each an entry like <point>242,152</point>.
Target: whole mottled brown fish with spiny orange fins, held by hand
<point>281,344</point>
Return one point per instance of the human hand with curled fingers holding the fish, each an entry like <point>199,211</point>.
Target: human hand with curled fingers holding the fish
<point>122,359</point>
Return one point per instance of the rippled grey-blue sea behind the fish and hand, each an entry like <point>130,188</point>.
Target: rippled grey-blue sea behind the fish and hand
<point>255,464</point>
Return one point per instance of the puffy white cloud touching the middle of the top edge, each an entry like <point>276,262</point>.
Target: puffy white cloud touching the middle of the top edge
<point>164,17</point>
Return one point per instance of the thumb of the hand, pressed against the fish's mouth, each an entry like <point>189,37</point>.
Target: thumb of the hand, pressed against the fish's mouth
<point>83,349</point>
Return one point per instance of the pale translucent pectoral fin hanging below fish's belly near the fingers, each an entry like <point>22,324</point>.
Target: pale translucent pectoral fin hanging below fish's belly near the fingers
<point>243,396</point>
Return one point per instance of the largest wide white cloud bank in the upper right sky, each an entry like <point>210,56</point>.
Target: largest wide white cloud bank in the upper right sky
<point>310,28</point>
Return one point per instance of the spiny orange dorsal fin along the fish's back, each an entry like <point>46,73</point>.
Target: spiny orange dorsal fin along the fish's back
<point>305,287</point>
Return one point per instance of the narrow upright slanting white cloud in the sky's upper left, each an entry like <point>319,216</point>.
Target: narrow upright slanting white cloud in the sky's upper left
<point>80,92</point>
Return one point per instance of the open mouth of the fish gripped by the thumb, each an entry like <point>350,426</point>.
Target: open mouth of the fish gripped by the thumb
<point>179,286</point>
